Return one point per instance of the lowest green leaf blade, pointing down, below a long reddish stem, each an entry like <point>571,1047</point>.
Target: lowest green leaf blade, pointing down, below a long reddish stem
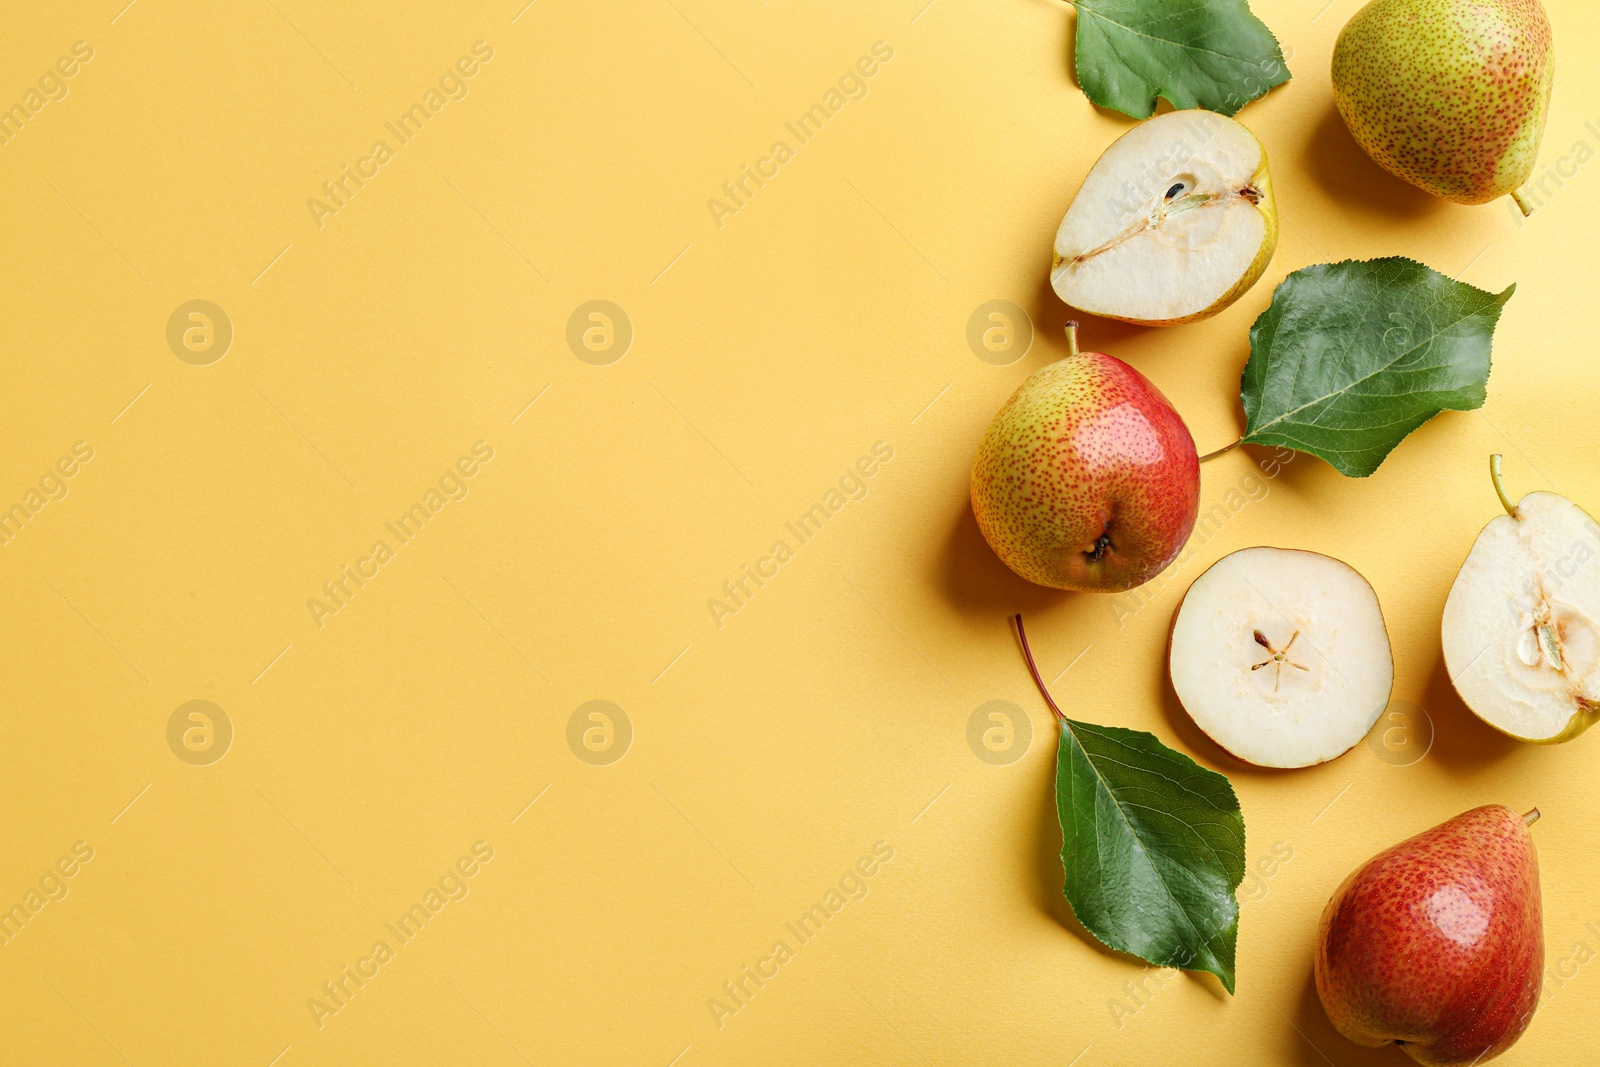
<point>1153,845</point>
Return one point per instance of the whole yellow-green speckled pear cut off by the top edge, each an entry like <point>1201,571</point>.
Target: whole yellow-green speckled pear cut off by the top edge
<point>1449,95</point>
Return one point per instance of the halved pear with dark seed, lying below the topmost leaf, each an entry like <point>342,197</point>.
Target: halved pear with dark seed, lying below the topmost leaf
<point>1172,225</point>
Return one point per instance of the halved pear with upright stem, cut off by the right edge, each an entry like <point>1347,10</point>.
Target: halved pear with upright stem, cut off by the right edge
<point>1521,639</point>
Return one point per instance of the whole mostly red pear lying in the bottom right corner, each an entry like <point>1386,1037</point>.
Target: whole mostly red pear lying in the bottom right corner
<point>1438,945</point>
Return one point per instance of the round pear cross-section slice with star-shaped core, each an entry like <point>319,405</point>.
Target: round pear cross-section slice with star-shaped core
<point>1281,657</point>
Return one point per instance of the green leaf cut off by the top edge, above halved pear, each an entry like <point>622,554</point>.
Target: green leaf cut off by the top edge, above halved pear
<point>1196,54</point>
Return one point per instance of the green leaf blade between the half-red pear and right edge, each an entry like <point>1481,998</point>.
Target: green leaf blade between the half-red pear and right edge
<point>1354,356</point>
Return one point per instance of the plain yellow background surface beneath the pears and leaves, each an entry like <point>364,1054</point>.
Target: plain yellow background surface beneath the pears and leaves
<point>769,354</point>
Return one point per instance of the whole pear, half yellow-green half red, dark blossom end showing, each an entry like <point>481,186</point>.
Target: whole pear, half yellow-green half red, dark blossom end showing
<point>1087,478</point>
